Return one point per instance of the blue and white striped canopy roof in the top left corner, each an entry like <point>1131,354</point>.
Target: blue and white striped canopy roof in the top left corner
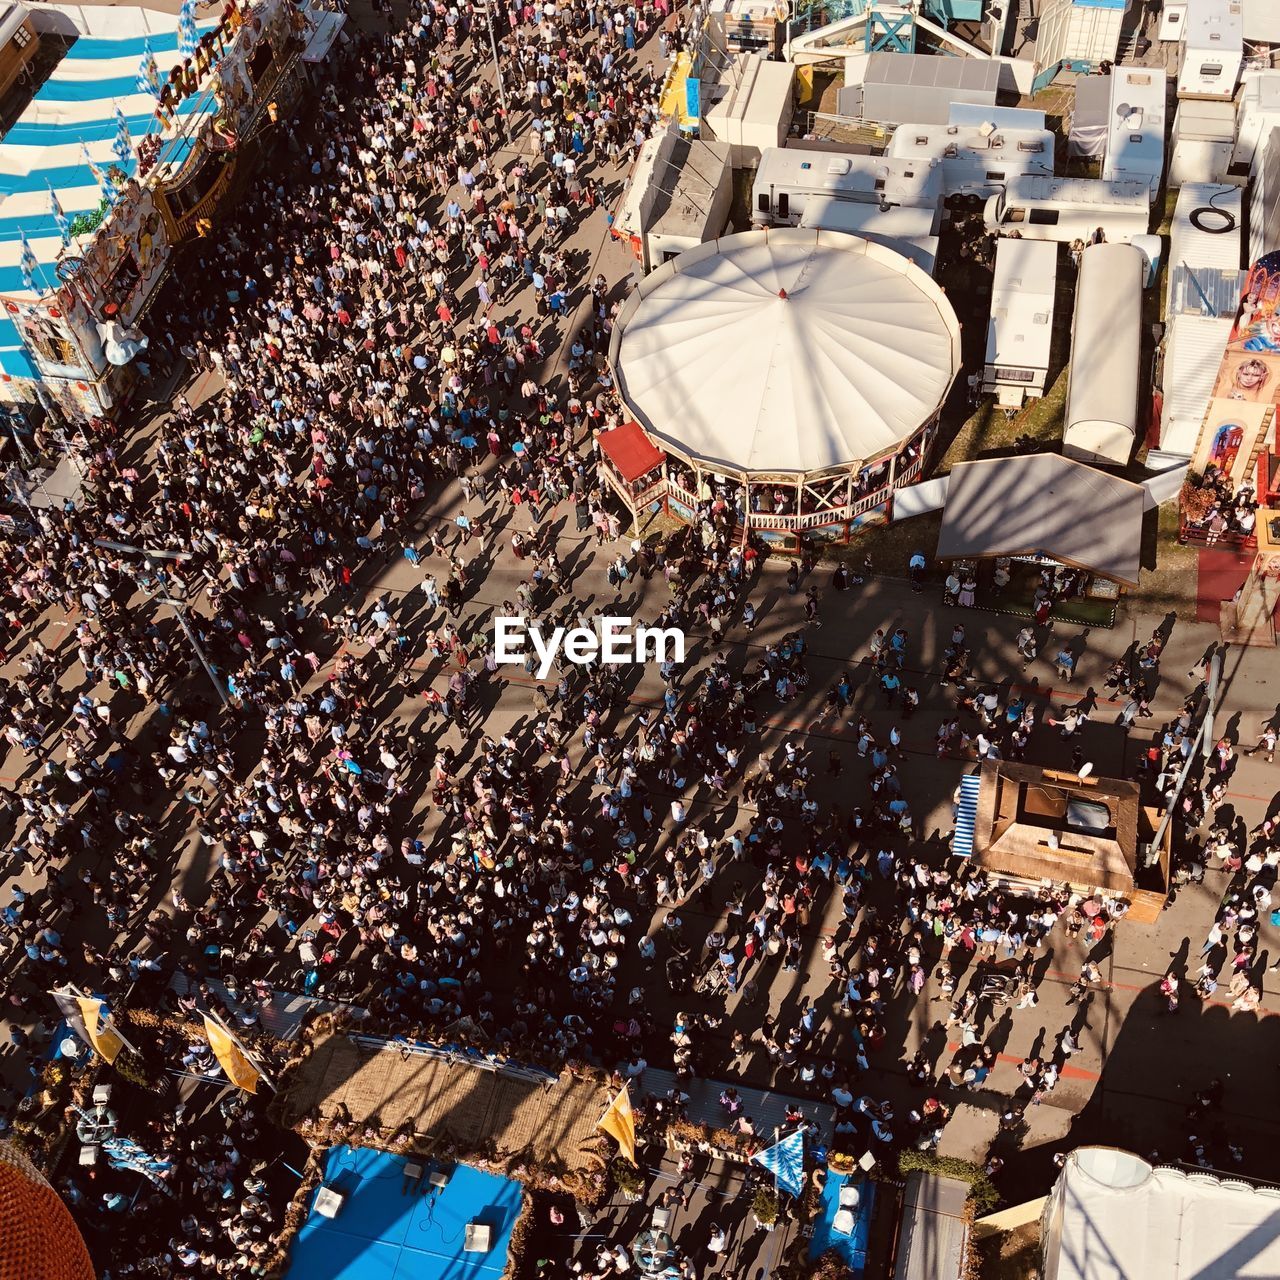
<point>71,122</point>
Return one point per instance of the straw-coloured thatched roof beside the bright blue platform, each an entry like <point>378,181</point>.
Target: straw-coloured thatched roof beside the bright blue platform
<point>548,1122</point>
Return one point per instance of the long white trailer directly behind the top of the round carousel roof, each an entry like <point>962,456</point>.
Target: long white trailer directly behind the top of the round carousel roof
<point>789,179</point>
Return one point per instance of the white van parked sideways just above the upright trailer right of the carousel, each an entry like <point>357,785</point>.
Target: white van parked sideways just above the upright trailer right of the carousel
<point>1069,209</point>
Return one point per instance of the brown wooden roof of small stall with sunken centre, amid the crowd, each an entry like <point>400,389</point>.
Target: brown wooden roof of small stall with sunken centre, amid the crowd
<point>1022,810</point>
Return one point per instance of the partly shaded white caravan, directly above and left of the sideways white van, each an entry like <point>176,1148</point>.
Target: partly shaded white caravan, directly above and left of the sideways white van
<point>977,161</point>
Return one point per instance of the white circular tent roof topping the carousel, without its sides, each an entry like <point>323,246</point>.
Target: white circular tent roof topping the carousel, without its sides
<point>785,351</point>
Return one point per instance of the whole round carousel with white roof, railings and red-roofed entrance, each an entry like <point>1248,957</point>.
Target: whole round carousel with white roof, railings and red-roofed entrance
<point>797,374</point>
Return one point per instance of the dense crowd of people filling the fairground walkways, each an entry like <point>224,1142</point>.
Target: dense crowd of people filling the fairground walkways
<point>394,316</point>
